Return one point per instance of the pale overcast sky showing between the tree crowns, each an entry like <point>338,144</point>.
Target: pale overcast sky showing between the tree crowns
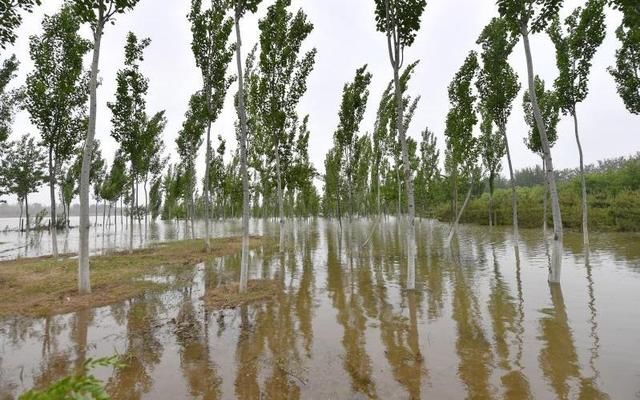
<point>345,38</point>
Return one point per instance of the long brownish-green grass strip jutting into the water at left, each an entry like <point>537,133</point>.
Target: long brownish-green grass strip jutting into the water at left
<point>45,286</point>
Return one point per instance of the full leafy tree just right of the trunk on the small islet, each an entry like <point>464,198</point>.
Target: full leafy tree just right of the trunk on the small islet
<point>284,73</point>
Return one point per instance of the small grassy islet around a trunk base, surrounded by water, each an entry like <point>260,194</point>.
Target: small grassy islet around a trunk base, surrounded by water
<point>229,296</point>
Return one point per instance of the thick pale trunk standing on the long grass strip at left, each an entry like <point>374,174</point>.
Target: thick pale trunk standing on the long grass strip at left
<point>84,282</point>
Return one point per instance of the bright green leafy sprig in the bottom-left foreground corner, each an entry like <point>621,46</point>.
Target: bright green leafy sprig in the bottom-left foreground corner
<point>81,386</point>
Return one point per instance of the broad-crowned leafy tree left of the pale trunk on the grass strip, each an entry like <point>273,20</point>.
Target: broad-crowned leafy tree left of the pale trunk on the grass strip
<point>56,93</point>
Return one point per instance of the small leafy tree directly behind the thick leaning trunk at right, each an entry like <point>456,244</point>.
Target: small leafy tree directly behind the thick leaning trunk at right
<point>548,103</point>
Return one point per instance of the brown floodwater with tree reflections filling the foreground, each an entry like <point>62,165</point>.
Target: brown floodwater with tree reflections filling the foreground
<point>482,325</point>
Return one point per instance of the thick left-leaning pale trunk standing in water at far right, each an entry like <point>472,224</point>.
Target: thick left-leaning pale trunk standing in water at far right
<point>555,202</point>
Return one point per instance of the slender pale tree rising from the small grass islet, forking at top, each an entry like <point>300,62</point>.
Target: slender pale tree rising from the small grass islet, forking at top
<point>240,7</point>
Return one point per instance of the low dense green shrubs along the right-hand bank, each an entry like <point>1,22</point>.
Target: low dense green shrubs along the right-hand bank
<point>614,197</point>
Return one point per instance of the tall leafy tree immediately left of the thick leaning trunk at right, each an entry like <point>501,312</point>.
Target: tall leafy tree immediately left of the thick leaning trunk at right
<point>497,88</point>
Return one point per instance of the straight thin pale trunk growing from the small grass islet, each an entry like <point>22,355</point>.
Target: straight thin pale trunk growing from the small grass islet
<point>244,264</point>
